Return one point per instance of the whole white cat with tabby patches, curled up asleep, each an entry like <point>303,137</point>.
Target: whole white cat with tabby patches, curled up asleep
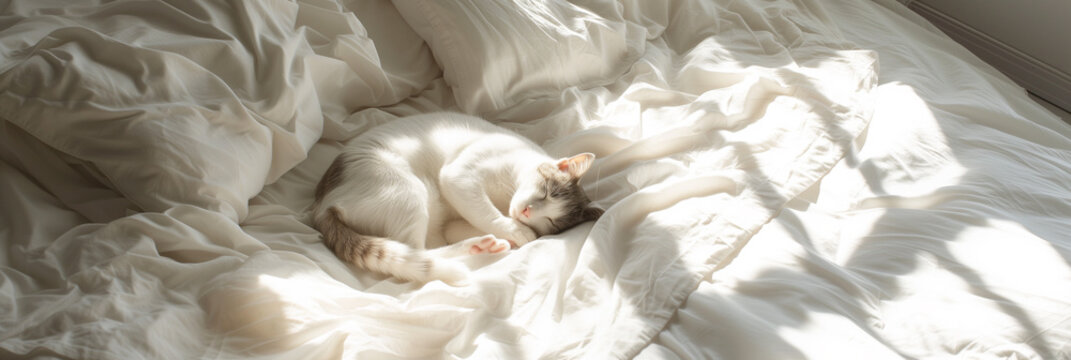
<point>394,190</point>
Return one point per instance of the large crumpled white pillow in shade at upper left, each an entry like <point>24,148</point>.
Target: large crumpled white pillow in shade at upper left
<point>199,104</point>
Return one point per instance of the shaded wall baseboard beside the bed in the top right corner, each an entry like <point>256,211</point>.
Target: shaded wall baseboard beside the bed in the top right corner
<point>1038,78</point>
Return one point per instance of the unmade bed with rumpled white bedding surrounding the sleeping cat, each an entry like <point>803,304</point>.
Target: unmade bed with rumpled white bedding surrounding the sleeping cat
<point>782,179</point>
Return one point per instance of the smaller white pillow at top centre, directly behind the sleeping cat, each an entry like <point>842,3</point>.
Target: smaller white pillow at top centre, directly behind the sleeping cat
<point>499,53</point>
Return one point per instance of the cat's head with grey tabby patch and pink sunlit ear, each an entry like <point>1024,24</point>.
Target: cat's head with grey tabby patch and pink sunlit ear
<point>553,201</point>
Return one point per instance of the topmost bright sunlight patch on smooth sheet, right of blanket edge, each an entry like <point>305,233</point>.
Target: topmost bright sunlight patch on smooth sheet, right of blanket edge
<point>902,158</point>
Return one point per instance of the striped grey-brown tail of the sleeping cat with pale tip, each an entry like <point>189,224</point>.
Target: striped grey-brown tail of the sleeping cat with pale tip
<point>385,256</point>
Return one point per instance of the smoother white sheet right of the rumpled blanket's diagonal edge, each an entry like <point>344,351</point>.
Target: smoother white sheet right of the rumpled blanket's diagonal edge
<point>944,236</point>
